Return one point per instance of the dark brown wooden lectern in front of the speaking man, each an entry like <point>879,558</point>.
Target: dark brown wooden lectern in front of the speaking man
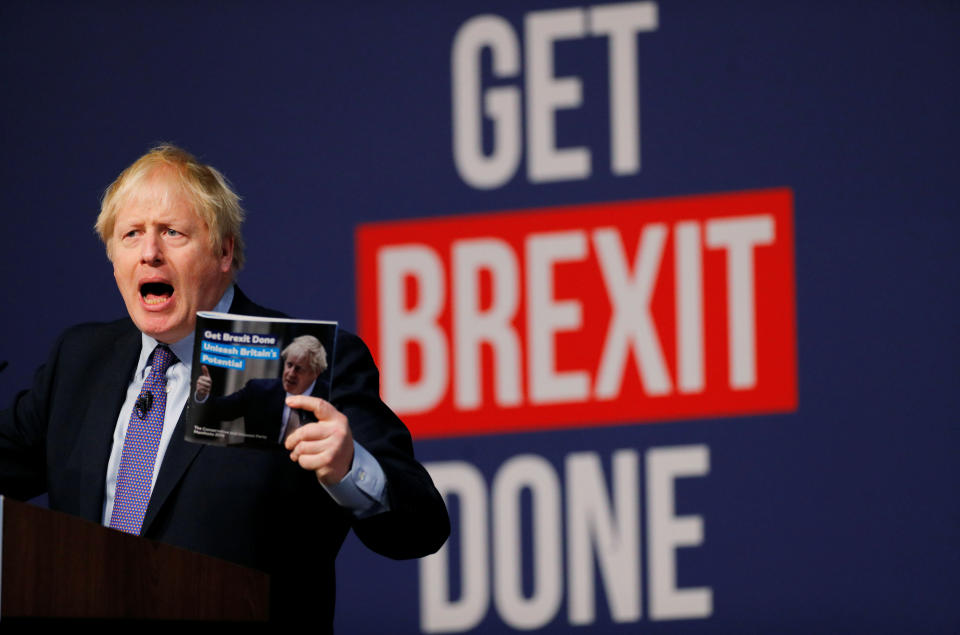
<point>56,566</point>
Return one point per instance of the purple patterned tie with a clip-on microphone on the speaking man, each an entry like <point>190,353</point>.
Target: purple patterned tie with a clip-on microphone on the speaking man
<point>140,446</point>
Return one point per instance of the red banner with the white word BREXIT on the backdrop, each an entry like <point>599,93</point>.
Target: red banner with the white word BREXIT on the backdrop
<point>583,315</point>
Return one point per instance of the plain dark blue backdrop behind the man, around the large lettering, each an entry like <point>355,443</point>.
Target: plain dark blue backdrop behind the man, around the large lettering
<point>840,516</point>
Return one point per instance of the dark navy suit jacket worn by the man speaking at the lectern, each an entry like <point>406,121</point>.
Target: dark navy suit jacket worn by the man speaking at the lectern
<point>239,504</point>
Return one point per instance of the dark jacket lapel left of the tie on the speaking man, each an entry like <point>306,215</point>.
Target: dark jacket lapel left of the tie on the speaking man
<point>117,369</point>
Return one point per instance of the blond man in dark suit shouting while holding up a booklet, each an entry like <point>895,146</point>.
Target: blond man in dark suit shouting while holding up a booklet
<point>171,226</point>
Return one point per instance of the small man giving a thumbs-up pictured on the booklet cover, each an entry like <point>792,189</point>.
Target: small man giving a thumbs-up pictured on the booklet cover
<point>267,420</point>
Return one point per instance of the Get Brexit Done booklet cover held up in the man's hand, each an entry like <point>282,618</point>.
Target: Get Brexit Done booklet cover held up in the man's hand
<point>244,367</point>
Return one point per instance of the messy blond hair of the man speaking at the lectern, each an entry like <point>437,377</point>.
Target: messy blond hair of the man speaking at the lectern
<point>213,199</point>
